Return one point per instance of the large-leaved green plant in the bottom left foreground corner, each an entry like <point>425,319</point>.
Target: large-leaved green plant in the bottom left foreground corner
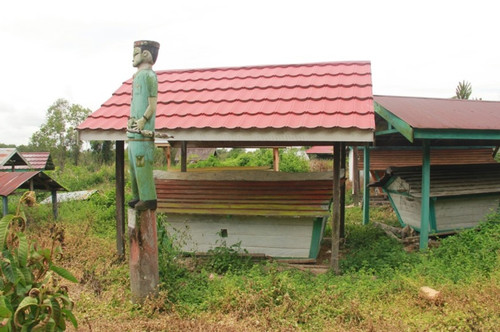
<point>31,298</point>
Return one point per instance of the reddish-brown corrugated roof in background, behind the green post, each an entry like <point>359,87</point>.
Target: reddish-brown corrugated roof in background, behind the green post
<point>380,159</point>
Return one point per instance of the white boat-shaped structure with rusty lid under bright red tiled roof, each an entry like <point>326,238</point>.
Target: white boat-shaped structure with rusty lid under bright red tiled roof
<point>271,213</point>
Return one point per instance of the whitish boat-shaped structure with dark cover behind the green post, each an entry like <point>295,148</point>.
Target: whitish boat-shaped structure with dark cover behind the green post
<point>460,195</point>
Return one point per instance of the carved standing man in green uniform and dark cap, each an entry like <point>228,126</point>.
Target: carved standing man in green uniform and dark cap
<point>141,124</point>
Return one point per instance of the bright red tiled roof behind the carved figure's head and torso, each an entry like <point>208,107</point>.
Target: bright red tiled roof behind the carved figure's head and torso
<point>322,95</point>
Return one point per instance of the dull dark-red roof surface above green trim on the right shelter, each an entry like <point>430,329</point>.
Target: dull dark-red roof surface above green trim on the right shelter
<point>433,113</point>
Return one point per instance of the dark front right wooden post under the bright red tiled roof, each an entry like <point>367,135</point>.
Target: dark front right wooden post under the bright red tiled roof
<point>334,262</point>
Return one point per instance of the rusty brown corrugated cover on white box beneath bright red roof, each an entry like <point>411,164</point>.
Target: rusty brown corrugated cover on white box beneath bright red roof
<point>278,198</point>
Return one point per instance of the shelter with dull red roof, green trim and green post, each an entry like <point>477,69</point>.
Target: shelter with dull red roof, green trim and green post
<point>430,123</point>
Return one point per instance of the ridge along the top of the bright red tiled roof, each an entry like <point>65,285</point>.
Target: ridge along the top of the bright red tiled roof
<point>312,64</point>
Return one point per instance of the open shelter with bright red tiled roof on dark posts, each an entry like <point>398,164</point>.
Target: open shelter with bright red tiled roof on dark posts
<point>327,104</point>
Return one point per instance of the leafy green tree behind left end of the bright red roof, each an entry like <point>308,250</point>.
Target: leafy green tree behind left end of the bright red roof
<point>58,133</point>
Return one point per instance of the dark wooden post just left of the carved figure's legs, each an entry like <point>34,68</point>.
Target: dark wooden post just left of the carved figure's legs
<point>120,198</point>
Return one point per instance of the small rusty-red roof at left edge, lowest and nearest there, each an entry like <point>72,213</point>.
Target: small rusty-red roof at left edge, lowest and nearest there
<point>10,181</point>
